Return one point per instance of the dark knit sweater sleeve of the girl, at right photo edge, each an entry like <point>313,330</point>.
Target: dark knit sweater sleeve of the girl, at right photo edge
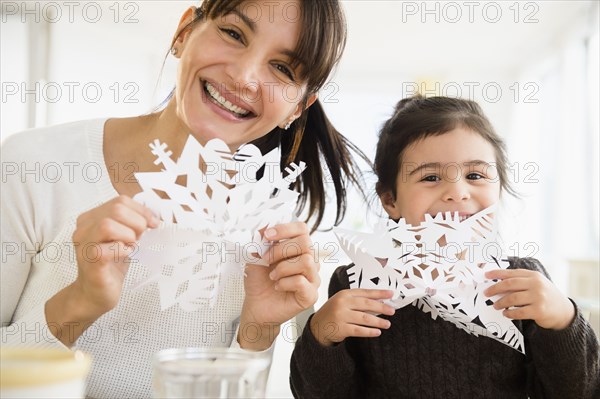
<point>562,363</point>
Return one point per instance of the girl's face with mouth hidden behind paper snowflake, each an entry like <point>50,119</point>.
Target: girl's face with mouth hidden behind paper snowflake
<point>454,172</point>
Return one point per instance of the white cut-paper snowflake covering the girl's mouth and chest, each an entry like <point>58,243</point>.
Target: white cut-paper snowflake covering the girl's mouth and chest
<point>437,266</point>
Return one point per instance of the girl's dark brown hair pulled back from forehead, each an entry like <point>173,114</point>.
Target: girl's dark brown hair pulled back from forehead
<point>416,118</point>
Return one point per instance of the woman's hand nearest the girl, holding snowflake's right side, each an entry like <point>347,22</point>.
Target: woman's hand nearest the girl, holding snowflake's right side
<point>279,292</point>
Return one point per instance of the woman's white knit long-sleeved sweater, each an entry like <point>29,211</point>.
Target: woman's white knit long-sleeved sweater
<point>49,177</point>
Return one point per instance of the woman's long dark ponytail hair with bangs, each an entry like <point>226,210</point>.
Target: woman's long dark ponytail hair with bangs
<point>311,137</point>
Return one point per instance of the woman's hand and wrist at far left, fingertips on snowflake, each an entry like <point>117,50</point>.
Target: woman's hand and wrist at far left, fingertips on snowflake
<point>103,239</point>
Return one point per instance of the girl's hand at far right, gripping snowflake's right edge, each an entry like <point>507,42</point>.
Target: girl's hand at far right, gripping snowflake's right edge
<point>527,294</point>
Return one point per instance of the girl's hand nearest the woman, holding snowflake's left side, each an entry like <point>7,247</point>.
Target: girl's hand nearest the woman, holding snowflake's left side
<point>350,313</point>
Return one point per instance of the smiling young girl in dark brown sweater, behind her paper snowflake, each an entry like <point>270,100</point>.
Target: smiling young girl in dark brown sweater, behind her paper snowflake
<point>347,351</point>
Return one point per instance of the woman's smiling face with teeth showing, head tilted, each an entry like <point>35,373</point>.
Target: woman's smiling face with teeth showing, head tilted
<point>235,80</point>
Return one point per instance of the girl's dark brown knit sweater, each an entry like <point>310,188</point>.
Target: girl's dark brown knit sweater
<point>418,357</point>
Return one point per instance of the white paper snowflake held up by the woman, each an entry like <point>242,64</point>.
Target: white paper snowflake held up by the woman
<point>214,206</point>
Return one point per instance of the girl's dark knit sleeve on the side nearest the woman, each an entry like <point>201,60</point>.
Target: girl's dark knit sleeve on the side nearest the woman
<point>318,371</point>
